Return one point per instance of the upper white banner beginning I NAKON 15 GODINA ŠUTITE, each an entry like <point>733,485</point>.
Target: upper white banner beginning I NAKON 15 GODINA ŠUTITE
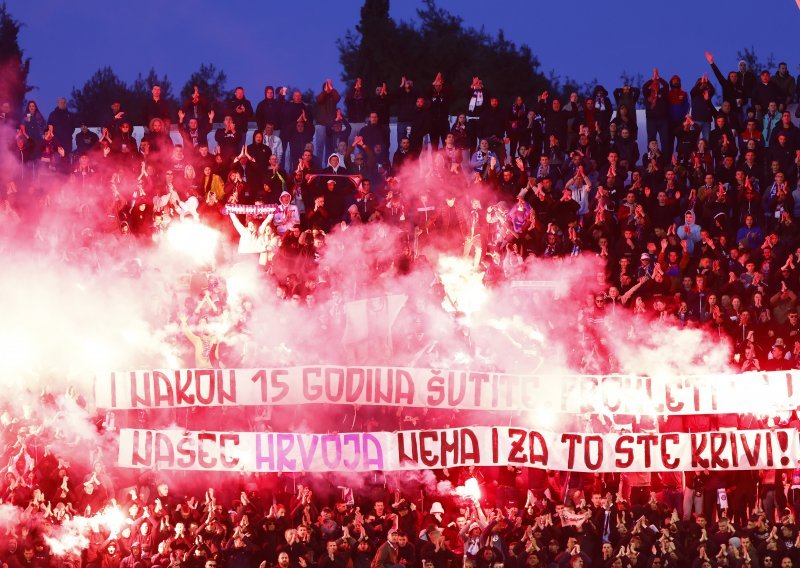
<point>755,393</point>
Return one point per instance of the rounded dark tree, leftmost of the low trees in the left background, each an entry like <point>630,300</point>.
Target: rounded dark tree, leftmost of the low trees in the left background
<point>92,100</point>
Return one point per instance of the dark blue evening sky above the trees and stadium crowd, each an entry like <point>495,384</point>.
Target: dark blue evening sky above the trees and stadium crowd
<point>287,42</point>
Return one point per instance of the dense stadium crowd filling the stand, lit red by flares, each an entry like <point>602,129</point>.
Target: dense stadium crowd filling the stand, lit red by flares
<point>698,229</point>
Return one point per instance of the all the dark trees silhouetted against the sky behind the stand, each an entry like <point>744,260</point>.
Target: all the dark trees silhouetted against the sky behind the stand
<point>378,50</point>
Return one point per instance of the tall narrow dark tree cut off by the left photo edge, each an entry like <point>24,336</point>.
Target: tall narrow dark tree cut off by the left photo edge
<point>14,66</point>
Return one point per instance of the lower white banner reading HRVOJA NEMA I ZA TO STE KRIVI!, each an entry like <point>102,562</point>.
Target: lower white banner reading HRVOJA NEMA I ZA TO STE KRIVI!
<point>455,447</point>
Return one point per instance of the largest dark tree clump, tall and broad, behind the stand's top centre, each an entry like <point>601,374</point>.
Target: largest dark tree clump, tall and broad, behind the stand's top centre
<point>383,50</point>
